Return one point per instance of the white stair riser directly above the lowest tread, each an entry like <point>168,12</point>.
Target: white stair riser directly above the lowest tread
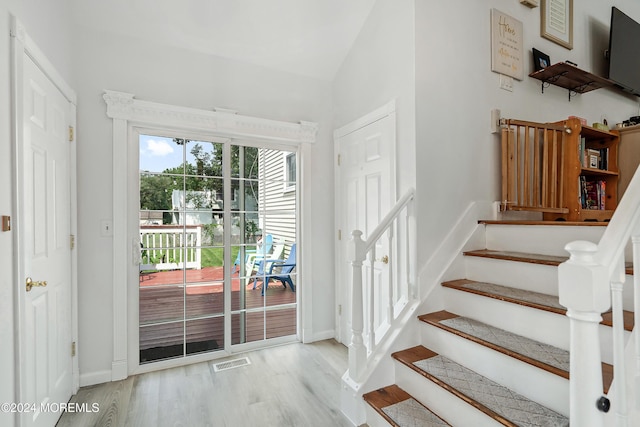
<point>446,405</point>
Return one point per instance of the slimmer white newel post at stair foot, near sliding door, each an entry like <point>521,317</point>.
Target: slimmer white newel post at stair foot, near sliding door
<point>357,349</point>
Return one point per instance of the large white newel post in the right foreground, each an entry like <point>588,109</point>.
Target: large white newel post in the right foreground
<point>584,291</point>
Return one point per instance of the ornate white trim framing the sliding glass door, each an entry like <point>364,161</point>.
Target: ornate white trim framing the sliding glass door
<point>128,113</point>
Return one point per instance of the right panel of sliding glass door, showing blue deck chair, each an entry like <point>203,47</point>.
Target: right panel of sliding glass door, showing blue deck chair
<point>264,185</point>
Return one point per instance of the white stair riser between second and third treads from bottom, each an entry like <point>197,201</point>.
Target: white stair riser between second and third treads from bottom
<point>548,389</point>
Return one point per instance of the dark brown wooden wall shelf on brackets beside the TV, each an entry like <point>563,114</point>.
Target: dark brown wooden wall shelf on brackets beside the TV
<point>570,77</point>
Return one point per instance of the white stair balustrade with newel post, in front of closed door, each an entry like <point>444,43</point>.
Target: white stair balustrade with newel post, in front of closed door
<point>379,296</point>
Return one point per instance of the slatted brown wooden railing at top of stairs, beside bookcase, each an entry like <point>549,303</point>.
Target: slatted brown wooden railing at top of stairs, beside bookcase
<point>532,166</point>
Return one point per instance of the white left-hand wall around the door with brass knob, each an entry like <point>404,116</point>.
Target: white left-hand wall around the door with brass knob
<point>48,26</point>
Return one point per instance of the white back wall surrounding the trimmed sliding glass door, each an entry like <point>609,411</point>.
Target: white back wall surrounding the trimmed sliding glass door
<point>179,77</point>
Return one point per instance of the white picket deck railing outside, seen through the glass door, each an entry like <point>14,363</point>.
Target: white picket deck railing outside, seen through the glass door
<point>170,247</point>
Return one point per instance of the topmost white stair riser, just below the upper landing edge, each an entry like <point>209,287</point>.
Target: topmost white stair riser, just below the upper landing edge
<point>547,240</point>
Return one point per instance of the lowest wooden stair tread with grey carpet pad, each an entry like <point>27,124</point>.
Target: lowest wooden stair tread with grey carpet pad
<point>400,409</point>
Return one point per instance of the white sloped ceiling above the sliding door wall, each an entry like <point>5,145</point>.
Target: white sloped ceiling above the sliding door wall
<point>306,37</point>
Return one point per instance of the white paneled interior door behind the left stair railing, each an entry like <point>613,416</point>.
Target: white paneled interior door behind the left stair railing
<point>366,191</point>
